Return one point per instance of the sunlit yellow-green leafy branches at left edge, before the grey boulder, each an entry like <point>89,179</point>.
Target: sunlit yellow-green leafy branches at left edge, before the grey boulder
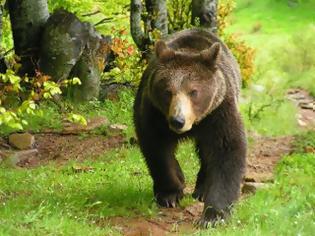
<point>20,96</point>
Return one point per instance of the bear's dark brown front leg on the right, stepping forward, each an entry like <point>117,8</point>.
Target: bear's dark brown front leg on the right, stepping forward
<point>224,156</point>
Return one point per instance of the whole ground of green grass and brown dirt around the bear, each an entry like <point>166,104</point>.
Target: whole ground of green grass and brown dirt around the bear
<point>96,182</point>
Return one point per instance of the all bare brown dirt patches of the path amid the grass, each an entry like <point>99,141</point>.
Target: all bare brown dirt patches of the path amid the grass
<point>60,148</point>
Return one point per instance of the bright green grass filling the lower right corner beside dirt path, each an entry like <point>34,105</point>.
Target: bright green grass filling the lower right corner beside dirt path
<point>286,208</point>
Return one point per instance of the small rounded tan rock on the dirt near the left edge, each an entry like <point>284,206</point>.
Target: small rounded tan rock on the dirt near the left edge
<point>22,141</point>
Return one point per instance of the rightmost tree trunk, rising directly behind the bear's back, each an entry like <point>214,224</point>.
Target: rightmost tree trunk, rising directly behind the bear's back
<point>205,11</point>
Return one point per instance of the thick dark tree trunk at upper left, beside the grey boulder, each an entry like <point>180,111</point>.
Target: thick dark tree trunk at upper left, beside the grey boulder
<point>27,18</point>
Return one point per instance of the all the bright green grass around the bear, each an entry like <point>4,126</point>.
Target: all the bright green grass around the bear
<point>57,200</point>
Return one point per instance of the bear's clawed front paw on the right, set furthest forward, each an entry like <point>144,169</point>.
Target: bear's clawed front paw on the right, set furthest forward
<point>211,217</point>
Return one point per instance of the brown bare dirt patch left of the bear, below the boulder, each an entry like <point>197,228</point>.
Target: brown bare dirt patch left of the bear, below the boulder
<point>60,148</point>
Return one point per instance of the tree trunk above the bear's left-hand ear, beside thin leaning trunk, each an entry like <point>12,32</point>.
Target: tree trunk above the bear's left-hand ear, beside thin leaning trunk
<point>157,10</point>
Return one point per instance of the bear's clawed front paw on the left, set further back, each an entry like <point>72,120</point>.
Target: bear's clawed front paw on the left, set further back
<point>169,199</point>
